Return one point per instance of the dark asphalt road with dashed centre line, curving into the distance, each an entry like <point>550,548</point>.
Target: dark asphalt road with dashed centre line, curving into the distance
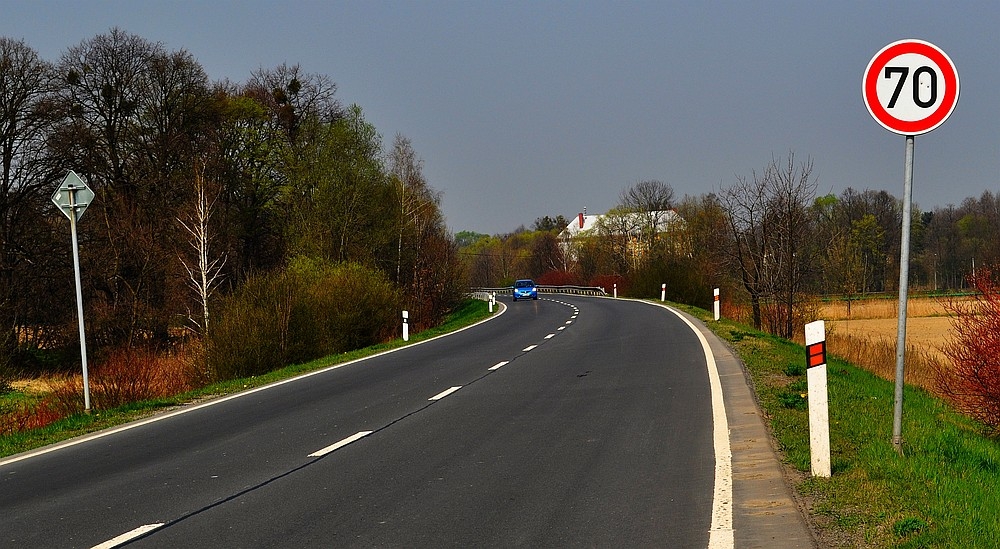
<point>566,421</point>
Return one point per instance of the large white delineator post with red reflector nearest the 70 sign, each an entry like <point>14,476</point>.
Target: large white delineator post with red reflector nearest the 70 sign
<point>819,413</point>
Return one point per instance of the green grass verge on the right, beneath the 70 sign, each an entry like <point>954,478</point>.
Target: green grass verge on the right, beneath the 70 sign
<point>940,493</point>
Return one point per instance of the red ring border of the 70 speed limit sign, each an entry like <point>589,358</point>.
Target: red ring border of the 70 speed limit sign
<point>943,109</point>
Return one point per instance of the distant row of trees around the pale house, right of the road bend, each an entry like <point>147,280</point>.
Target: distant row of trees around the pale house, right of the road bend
<point>767,238</point>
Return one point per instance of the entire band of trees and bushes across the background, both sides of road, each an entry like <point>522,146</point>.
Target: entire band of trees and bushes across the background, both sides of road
<point>244,226</point>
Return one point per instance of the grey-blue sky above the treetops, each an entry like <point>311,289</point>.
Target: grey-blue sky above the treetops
<point>526,109</point>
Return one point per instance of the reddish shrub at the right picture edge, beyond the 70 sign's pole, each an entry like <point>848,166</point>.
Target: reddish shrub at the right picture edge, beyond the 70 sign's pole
<point>972,382</point>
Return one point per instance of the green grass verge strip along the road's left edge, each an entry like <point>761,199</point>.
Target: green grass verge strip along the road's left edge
<point>467,313</point>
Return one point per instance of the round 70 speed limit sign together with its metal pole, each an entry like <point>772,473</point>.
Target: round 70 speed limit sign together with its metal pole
<point>910,87</point>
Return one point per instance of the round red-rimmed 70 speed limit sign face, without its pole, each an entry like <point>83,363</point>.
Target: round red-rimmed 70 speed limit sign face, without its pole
<point>910,87</point>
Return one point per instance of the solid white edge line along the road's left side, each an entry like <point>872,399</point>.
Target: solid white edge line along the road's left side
<point>186,409</point>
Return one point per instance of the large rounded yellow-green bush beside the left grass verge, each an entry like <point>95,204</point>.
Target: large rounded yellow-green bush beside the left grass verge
<point>308,310</point>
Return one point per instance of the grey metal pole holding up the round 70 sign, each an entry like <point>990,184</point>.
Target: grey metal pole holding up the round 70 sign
<point>904,276</point>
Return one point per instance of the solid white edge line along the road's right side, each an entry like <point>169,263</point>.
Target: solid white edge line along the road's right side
<point>721,536</point>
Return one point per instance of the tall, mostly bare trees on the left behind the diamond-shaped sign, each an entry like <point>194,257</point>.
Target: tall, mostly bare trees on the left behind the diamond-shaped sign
<point>200,186</point>
